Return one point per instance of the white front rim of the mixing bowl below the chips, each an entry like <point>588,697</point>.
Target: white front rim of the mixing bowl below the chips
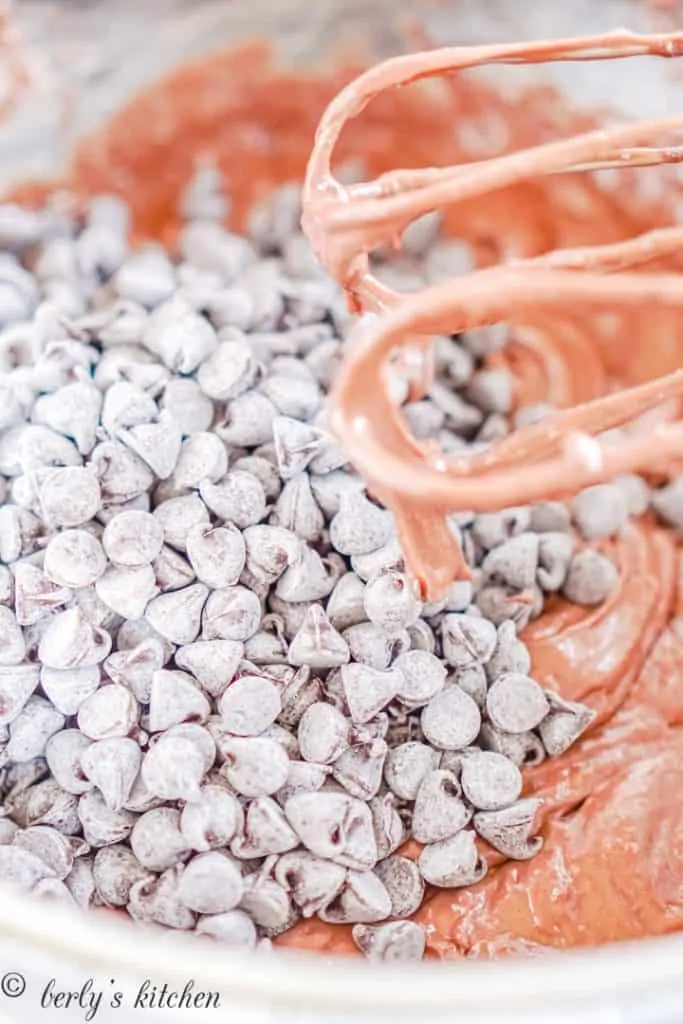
<point>573,978</point>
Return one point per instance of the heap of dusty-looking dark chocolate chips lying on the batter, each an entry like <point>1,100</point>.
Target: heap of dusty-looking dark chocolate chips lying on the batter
<point>223,704</point>
